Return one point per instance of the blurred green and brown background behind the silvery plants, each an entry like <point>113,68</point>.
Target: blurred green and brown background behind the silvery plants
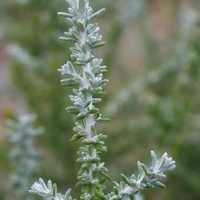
<point>153,58</point>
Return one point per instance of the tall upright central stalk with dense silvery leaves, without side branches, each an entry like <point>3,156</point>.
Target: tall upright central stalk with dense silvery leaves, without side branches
<point>86,74</point>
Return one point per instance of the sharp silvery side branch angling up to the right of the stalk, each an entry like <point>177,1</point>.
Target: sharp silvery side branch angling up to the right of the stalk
<point>146,178</point>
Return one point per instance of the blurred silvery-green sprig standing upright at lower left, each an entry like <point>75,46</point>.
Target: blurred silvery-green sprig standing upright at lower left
<point>23,155</point>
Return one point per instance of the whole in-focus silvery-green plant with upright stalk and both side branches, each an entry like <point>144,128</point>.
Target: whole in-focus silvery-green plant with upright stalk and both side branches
<point>85,73</point>
